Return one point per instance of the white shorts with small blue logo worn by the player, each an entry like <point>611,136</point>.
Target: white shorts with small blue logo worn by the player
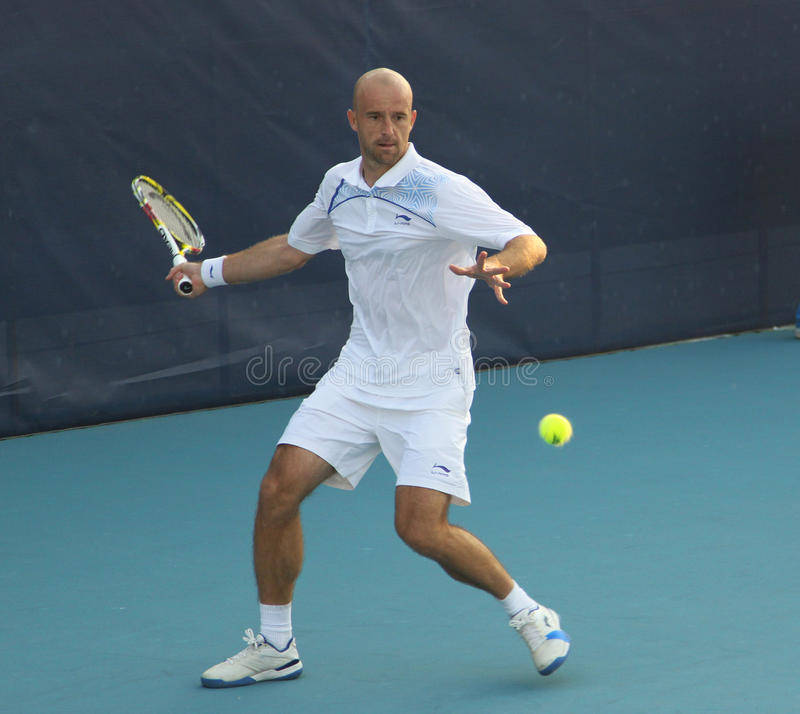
<point>425,447</point>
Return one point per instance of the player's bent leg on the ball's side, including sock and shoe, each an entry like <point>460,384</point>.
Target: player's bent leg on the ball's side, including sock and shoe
<point>421,521</point>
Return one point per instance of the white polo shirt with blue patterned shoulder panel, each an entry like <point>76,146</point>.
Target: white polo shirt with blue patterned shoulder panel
<point>409,337</point>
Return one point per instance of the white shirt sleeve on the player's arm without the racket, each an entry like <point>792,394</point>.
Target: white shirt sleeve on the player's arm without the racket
<point>466,214</point>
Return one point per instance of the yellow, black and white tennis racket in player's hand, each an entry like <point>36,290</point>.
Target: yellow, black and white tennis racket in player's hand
<point>173,222</point>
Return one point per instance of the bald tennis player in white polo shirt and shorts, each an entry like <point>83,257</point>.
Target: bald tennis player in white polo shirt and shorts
<point>409,230</point>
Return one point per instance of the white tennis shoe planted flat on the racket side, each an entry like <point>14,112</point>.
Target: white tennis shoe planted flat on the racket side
<point>258,662</point>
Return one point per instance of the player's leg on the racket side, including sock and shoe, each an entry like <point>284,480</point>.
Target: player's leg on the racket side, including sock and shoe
<point>278,556</point>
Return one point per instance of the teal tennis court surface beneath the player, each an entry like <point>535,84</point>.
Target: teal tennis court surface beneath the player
<point>666,534</point>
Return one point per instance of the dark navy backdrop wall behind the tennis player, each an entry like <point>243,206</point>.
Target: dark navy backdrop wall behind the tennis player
<point>652,144</point>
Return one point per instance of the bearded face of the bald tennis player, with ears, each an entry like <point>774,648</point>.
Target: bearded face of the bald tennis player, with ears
<point>383,119</point>
